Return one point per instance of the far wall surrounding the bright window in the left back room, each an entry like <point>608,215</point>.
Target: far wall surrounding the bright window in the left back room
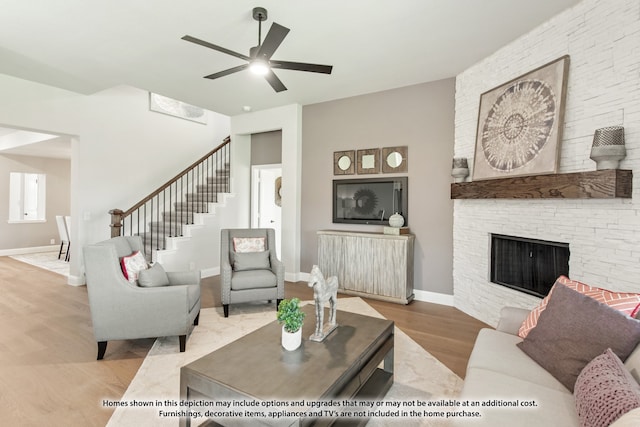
<point>58,172</point>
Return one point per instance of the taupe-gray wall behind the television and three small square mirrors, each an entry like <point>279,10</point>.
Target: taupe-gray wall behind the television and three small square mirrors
<point>420,117</point>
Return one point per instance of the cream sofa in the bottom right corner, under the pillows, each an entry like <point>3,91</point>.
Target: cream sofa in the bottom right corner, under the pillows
<point>498,372</point>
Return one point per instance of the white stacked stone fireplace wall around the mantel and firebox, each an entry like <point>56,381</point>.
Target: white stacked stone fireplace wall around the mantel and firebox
<point>602,38</point>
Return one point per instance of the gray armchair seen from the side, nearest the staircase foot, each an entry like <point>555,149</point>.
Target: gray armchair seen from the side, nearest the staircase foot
<point>122,310</point>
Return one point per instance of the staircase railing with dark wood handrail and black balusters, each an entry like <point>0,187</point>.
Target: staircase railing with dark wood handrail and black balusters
<point>163,212</point>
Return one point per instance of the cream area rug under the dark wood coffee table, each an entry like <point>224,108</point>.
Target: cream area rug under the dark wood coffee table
<point>417,374</point>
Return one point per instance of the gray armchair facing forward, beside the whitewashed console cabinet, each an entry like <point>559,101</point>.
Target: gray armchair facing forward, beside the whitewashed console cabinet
<point>250,276</point>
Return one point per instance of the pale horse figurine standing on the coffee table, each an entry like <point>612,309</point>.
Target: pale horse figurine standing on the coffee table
<point>323,291</point>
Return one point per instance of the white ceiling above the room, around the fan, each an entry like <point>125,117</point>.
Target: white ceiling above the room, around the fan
<point>88,45</point>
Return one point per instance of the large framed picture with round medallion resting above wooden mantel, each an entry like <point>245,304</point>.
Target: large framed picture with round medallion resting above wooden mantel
<point>520,124</point>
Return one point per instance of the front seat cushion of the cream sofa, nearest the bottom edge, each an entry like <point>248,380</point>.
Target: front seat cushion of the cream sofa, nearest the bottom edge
<point>554,407</point>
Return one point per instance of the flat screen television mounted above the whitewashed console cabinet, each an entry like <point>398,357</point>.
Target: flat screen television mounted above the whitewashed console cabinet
<point>370,201</point>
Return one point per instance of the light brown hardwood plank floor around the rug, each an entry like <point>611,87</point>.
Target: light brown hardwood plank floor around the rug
<point>48,369</point>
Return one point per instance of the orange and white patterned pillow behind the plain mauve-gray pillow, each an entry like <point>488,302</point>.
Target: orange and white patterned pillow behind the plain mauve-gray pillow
<point>626,302</point>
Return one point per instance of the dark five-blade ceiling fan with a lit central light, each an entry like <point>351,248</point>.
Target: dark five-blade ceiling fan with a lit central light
<point>259,59</point>
